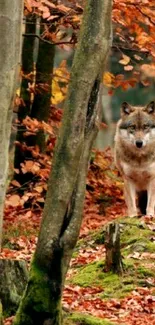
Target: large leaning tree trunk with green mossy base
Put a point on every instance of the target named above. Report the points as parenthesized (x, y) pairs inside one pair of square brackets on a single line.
[(62, 215)]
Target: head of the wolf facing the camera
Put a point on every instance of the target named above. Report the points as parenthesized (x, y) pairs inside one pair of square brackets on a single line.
[(137, 125)]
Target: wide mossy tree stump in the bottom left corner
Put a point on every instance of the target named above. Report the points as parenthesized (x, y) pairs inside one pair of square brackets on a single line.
[(13, 279)]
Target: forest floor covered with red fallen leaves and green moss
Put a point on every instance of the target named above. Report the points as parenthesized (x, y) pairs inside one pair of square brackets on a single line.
[(93, 296)]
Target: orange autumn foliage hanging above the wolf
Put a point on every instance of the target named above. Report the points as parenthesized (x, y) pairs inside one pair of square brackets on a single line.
[(134, 30)]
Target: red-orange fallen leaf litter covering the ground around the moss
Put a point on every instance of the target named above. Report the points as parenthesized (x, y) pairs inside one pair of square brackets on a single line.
[(103, 203)]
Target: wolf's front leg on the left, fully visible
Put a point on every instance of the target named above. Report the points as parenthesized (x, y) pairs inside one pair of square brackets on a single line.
[(130, 197)]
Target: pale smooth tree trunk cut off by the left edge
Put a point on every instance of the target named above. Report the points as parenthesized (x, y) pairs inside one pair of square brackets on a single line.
[(10, 42)]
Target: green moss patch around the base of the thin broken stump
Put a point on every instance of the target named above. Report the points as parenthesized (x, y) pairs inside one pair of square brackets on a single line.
[(113, 285)]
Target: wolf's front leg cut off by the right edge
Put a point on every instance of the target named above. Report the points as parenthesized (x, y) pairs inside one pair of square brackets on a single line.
[(150, 209)]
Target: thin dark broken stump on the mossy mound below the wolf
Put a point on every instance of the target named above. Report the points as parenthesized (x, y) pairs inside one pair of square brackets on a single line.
[(112, 245)]
